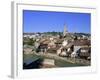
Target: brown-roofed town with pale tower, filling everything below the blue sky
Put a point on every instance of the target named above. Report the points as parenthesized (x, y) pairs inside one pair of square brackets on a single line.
[(56, 49)]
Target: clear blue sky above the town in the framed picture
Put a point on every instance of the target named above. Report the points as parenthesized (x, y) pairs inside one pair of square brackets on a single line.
[(47, 21)]
